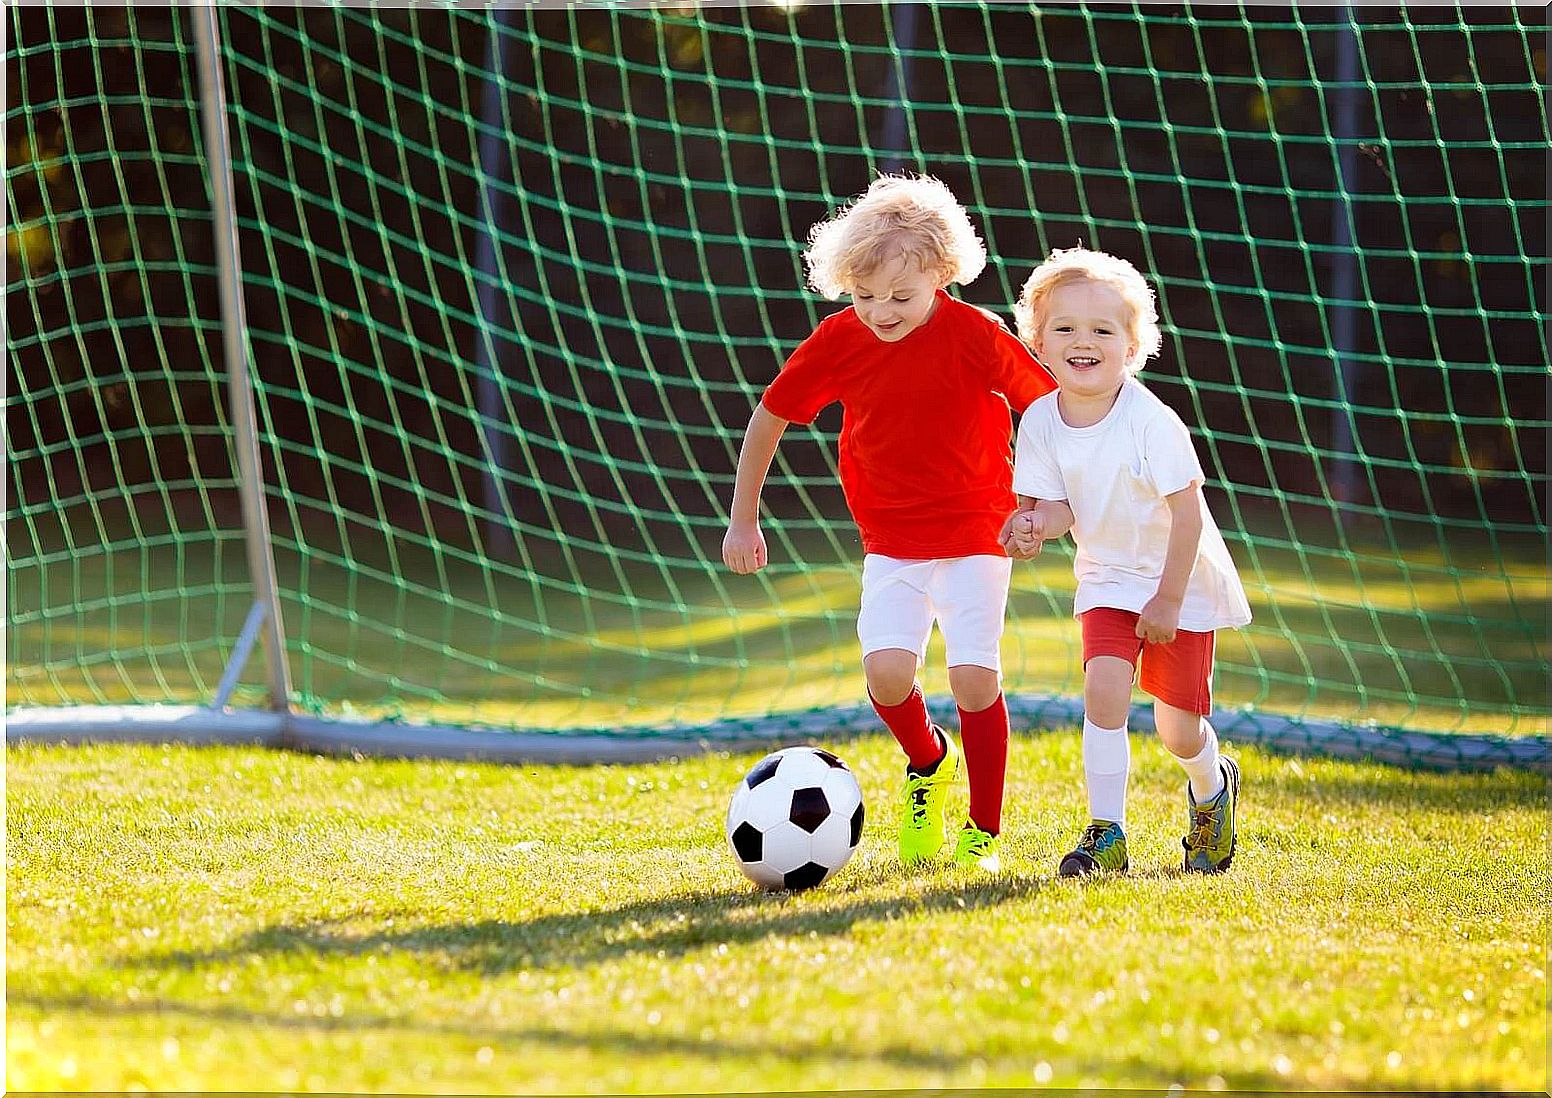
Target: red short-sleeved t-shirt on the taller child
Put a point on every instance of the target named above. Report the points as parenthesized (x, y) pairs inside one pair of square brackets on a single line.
[(926, 457)]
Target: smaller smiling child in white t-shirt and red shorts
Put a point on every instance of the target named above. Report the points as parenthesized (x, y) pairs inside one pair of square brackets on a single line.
[(1155, 579)]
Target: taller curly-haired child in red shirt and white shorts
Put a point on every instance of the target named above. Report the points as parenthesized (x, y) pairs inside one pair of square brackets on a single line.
[(926, 383)]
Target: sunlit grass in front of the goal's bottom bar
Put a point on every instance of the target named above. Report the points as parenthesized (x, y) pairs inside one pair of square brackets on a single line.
[(248, 920)]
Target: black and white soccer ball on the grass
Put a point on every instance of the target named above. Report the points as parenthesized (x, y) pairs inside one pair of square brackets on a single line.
[(795, 819)]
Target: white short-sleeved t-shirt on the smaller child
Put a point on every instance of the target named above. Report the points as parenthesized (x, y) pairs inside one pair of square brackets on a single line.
[(1115, 476)]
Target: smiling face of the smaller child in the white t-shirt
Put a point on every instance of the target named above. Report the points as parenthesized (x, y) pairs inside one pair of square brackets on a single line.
[(1086, 338)]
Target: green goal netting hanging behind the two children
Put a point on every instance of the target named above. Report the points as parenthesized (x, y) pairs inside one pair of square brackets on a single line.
[(514, 280)]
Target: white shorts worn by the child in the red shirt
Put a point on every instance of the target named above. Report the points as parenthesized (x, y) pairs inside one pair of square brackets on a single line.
[(968, 597)]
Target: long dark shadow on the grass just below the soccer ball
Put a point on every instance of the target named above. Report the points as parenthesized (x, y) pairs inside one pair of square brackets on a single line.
[(667, 926)]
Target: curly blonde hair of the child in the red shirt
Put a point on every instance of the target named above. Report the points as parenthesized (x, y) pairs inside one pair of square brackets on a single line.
[(916, 217)]
